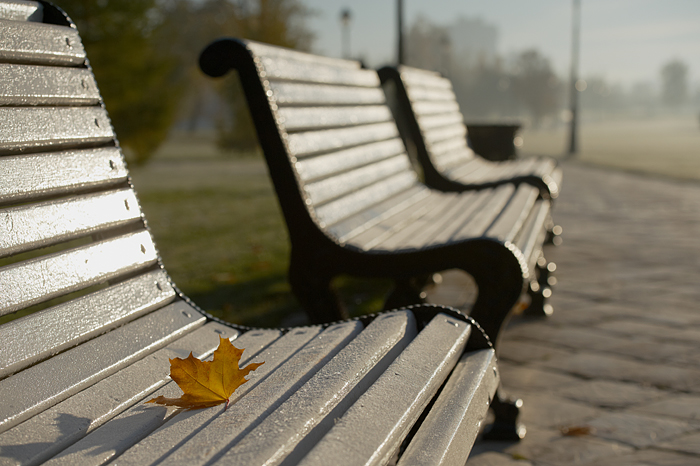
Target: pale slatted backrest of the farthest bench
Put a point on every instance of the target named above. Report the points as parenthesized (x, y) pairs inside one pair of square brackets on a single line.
[(428, 107)]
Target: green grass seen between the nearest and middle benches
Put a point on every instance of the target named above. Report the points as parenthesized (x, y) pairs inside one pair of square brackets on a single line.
[(223, 240)]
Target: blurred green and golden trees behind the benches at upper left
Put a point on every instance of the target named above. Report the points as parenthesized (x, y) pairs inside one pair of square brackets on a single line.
[(144, 56)]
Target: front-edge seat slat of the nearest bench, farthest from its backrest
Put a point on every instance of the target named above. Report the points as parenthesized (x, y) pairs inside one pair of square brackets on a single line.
[(456, 416)]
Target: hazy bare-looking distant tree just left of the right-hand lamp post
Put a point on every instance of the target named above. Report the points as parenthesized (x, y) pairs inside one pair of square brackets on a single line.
[(535, 85)]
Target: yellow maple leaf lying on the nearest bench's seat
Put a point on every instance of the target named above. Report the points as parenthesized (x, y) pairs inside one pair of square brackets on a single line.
[(207, 383)]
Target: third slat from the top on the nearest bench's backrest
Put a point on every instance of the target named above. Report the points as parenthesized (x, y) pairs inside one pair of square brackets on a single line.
[(22, 85)]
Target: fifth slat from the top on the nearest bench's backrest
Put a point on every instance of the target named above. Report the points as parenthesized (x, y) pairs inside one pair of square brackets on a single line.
[(71, 171)]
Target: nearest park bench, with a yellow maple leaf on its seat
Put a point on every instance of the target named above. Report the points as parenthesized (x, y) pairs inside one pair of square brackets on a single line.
[(89, 316)]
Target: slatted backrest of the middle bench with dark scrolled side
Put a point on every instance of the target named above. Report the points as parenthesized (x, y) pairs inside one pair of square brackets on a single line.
[(331, 143)]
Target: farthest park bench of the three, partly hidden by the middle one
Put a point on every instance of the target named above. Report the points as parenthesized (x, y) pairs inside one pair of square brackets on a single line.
[(429, 117)]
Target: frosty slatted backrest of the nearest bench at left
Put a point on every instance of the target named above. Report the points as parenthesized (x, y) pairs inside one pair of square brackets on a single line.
[(76, 258)]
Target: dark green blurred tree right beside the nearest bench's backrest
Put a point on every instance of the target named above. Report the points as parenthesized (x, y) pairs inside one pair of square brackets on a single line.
[(139, 81)]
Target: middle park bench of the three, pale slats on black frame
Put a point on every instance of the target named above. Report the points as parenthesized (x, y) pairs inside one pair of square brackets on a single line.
[(352, 202)]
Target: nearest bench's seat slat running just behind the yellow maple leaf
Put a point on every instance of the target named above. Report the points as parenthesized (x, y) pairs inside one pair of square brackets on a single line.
[(49, 432)]
